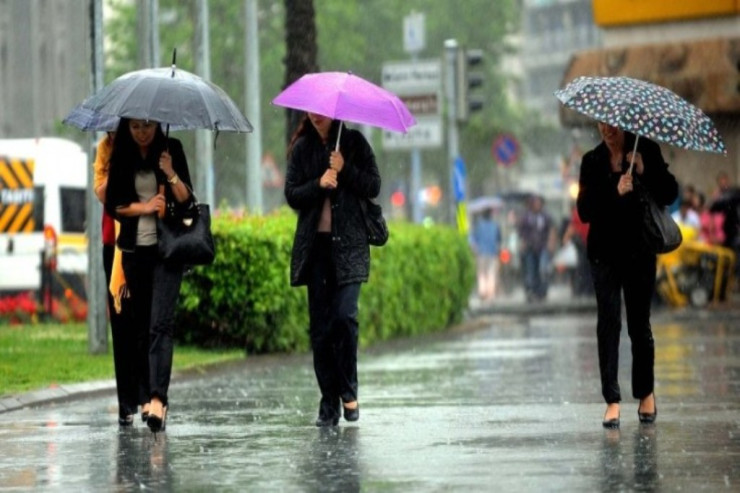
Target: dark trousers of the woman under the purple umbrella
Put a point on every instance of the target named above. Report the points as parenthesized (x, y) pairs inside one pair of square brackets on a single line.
[(333, 329)]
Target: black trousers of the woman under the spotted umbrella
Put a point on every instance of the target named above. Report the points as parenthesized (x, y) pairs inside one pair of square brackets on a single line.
[(636, 277)]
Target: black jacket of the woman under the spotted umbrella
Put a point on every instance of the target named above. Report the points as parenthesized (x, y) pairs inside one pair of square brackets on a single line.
[(615, 222)]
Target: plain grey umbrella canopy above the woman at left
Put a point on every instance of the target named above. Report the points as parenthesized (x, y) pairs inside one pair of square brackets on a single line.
[(167, 95)]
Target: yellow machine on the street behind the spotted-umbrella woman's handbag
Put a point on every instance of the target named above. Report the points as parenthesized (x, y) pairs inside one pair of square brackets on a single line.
[(696, 273)]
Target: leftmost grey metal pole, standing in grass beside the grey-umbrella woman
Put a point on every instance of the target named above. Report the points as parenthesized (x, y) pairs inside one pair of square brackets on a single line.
[(97, 323)]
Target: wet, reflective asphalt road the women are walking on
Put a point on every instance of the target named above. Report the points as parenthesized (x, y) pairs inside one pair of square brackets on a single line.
[(511, 406)]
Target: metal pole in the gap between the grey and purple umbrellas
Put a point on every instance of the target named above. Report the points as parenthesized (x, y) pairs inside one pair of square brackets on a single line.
[(252, 80)]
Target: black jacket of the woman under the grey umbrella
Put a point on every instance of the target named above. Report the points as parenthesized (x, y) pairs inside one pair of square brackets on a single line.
[(121, 190)]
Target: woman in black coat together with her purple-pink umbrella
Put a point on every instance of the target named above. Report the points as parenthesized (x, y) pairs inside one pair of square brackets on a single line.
[(331, 177)]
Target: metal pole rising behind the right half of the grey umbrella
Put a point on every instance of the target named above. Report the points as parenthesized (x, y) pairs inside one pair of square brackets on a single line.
[(203, 138)]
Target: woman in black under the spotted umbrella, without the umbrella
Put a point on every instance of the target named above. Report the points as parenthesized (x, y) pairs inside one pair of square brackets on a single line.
[(620, 259)]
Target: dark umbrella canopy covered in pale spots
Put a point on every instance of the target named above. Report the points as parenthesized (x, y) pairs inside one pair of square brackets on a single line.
[(643, 109)]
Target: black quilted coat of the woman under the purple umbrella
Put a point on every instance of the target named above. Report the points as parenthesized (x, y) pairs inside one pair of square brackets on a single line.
[(358, 180)]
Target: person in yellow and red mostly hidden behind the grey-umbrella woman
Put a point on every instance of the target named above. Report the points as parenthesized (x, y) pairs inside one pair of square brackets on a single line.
[(125, 363)]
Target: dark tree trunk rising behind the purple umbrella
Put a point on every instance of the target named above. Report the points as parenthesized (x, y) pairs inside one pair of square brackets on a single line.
[(302, 51)]
